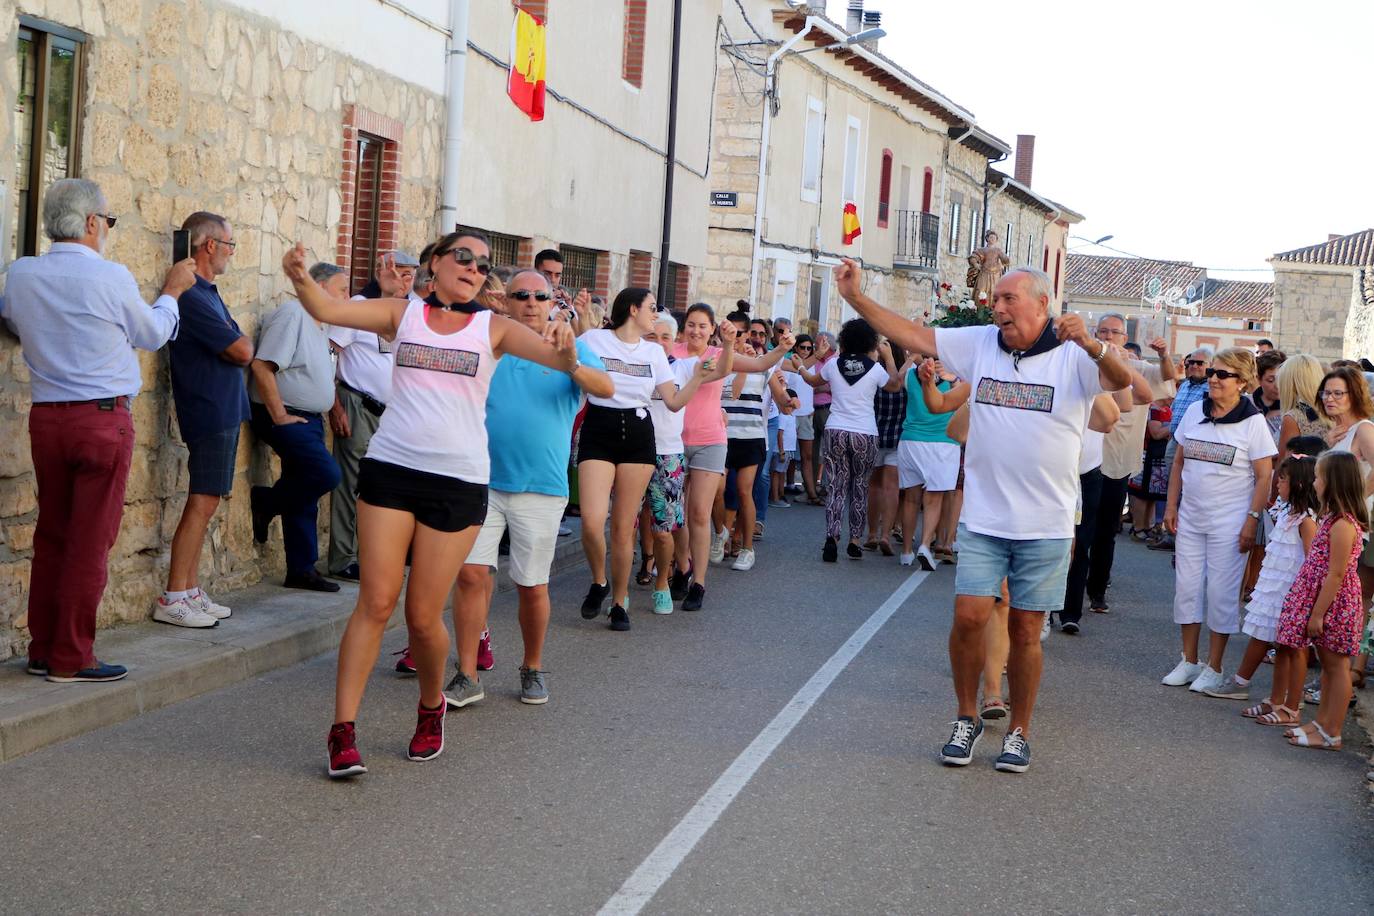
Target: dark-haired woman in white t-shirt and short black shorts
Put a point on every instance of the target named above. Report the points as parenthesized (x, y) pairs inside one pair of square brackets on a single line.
[(616, 448)]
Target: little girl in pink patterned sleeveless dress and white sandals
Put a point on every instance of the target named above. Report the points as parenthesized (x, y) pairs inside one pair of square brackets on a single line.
[(1324, 606)]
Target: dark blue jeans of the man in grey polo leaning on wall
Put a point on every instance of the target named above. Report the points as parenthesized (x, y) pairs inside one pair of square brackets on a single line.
[(308, 473)]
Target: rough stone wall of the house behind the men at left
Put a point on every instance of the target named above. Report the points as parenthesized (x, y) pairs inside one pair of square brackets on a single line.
[(194, 106)]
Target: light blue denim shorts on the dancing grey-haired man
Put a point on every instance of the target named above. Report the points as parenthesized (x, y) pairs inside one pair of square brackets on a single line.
[(1037, 571)]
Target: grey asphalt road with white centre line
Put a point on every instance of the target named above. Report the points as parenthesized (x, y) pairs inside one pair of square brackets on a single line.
[(1141, 799)]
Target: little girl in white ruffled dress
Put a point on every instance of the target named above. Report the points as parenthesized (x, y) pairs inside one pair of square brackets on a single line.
[(1295, 527)]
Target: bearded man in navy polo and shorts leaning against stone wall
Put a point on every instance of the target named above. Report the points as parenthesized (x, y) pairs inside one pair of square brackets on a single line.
[(208, 359)]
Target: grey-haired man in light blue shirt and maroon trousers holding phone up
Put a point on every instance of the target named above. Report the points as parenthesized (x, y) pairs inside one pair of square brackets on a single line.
[(79, 319)]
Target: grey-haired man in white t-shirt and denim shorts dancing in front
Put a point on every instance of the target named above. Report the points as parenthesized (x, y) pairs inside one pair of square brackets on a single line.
[(1031, 389)]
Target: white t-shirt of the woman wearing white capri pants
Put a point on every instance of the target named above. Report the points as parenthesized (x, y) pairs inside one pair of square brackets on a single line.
[(1218, 462)]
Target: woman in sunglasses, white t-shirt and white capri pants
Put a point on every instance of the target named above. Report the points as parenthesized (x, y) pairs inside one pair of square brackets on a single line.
[(1219, 487)]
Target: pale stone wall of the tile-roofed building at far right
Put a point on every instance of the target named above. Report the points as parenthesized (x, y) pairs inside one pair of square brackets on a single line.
[(1311, 308)]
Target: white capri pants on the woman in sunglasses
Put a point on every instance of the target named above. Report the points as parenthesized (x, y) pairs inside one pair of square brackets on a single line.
[(1208, 572)]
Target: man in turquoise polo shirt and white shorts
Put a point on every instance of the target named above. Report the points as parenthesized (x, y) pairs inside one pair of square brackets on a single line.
[(530, 429)]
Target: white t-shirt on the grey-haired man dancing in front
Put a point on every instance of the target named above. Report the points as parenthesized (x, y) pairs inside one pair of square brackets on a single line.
[(1027, 417)]
